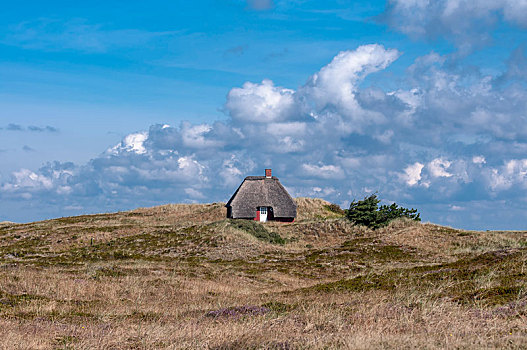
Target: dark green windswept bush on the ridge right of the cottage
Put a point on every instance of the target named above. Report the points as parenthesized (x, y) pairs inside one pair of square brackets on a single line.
[(368, 213)]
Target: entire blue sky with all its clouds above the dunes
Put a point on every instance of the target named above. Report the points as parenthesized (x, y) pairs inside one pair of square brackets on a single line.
[(108, 106)]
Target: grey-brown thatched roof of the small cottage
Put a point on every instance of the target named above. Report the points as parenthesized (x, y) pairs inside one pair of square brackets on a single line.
[(261, 191)]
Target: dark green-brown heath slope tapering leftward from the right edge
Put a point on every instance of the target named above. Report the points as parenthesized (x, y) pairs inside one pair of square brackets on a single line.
[(464, 281)]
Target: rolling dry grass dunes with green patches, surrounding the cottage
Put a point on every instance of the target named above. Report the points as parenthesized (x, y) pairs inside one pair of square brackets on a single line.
[(183, 277)]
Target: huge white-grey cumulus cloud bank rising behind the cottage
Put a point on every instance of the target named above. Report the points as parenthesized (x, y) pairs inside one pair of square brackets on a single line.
[(445, 138)]
